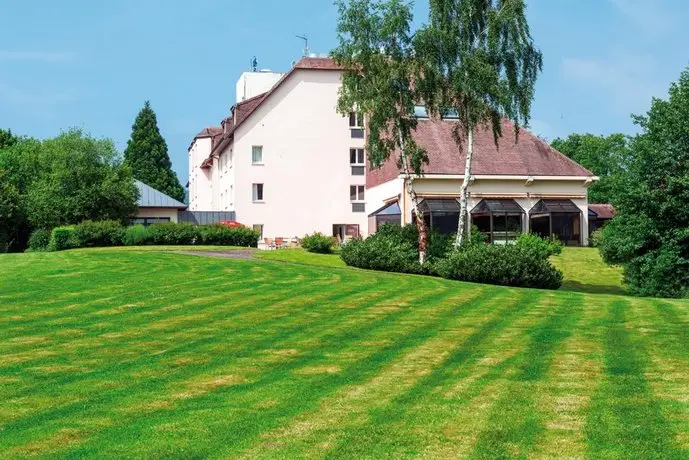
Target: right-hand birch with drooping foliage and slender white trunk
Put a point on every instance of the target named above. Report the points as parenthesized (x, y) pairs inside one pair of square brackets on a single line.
[(480, 61)]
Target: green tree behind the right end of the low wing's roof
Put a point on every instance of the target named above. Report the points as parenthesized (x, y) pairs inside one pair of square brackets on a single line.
[(606, 156)]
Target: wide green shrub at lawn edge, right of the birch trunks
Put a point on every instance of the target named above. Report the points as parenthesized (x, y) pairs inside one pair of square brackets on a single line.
[(505, 265)]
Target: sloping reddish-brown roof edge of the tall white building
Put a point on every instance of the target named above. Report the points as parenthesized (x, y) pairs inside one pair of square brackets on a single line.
[(243, 110)]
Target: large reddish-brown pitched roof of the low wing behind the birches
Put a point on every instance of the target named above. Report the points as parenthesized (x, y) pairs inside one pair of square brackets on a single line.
[(529, 156)]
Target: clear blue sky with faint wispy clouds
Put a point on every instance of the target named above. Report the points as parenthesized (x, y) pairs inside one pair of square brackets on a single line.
[(93, 64)]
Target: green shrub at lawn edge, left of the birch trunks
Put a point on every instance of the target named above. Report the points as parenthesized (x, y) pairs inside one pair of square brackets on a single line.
[(381, 253)]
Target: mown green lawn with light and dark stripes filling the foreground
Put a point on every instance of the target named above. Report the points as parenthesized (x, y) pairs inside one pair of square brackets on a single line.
[(146, 354)]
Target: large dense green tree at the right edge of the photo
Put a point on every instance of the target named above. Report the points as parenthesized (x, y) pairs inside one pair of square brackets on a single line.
[(650, 233)]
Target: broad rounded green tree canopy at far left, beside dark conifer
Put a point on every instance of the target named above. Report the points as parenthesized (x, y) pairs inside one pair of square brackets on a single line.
[(61, 181)]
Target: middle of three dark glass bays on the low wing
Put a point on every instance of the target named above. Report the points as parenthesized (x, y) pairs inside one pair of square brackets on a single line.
[(500, 220)]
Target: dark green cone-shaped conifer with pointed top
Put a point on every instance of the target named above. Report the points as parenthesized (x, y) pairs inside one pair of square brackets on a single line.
[(146, 154)]
